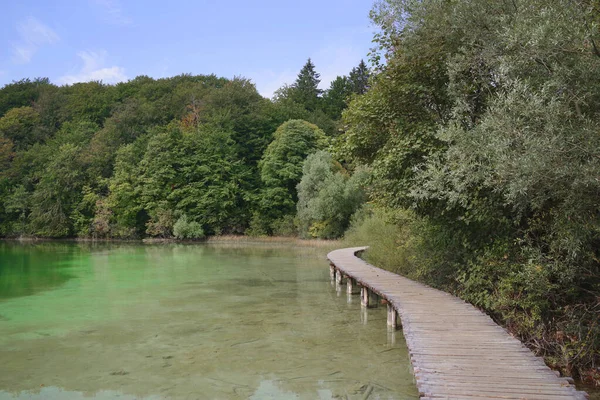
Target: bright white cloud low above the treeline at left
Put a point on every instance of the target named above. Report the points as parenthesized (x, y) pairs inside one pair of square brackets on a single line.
[(94, 69)]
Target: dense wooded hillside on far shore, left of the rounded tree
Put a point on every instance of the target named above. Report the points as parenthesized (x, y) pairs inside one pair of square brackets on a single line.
[(219, 126)]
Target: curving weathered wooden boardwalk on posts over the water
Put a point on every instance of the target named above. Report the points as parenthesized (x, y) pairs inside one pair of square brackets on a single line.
[(456, 351)]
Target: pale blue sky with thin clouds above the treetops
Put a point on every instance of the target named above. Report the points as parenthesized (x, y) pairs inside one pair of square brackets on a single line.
[(266, 41)]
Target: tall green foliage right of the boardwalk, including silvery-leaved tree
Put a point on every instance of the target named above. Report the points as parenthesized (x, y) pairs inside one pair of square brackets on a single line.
[(490, 135)]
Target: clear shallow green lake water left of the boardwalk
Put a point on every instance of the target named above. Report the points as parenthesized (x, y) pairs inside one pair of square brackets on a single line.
[(188, 322)]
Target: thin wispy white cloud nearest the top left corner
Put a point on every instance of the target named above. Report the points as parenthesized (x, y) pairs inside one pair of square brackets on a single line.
[(32, 35)]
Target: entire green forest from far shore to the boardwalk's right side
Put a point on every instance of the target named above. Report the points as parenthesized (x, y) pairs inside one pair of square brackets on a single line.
[(467, 155)]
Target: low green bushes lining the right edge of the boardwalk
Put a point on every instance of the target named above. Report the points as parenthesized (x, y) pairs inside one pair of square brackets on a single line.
[(519, 287)]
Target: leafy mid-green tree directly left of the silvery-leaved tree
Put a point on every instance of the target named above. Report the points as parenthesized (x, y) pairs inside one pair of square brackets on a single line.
[(392, 126)]
